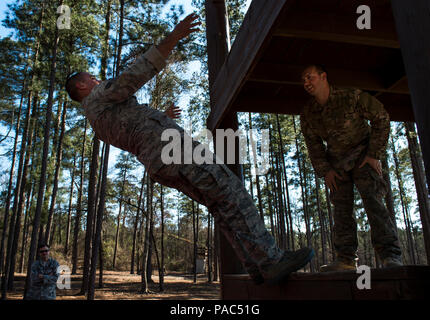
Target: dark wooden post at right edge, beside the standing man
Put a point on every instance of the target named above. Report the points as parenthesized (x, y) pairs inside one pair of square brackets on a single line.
[(413, 28)]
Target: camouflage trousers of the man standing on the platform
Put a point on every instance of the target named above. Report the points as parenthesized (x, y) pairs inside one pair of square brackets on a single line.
[(372, 189)]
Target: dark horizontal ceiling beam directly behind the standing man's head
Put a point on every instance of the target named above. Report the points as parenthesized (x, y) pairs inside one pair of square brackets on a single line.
[(282, 74)]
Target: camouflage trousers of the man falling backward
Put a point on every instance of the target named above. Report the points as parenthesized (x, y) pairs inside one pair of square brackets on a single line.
[(222, 192)]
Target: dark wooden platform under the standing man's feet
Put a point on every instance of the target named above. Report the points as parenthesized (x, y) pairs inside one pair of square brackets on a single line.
[(400, 283)]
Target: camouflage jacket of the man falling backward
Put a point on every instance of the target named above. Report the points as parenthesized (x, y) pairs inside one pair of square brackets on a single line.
[(118, 119)]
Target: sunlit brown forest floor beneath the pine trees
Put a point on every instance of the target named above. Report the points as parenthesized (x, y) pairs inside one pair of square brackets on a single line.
[(121, 285)]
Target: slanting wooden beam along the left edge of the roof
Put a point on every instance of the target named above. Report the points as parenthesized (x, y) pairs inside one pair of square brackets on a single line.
[(258, 25)]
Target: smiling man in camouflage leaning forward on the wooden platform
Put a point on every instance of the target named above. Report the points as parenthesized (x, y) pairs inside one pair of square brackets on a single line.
[(351, 156)]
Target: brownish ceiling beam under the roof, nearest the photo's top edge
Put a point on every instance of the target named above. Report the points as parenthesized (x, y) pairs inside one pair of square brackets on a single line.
[(330, 26)]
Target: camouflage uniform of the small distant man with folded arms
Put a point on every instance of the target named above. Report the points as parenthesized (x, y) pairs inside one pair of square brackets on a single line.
[(44, 289)]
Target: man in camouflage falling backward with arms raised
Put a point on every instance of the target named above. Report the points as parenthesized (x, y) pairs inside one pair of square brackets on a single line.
[(118, 119)]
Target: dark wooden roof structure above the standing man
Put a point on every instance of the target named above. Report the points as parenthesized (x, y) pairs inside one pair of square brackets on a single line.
[(279, 38)]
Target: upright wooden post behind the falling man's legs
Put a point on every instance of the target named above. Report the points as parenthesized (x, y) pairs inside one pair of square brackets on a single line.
[(218, 43)]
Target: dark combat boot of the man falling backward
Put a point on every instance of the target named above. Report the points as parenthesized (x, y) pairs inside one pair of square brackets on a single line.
[(291, 261)]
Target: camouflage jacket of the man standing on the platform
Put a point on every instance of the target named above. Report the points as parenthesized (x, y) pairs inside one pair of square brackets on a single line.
[(342, 124)]
